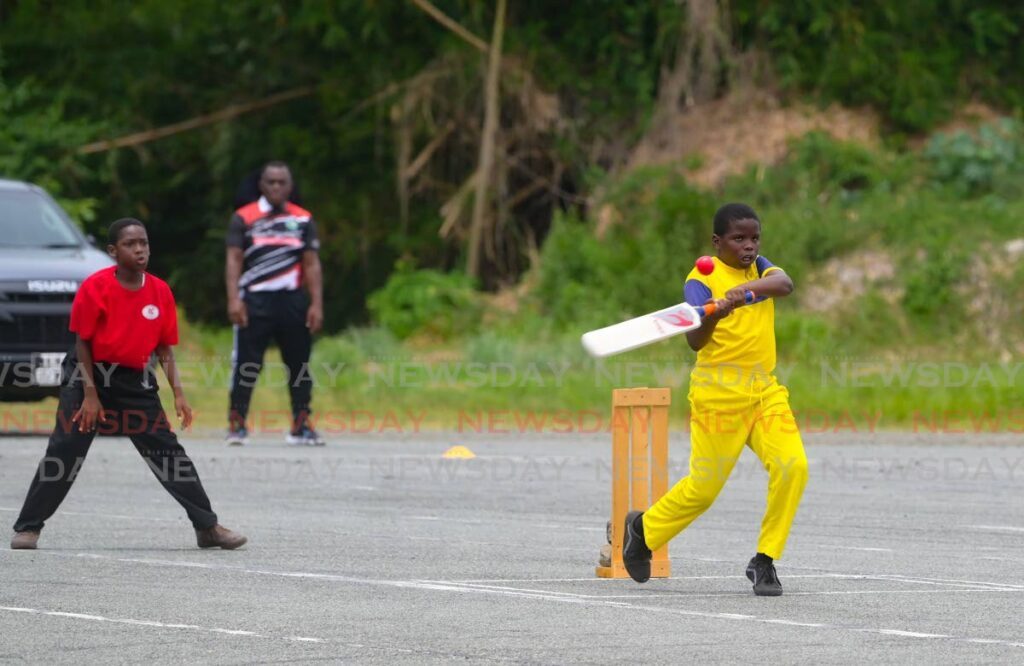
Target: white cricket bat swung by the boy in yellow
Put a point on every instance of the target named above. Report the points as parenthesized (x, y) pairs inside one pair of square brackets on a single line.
[(649, 329)]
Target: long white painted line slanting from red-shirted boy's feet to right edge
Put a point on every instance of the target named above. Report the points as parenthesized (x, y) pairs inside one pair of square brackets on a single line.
[(562, 598)]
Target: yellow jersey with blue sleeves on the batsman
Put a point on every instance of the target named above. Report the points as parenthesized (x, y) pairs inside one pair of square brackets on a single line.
[(745, 340)]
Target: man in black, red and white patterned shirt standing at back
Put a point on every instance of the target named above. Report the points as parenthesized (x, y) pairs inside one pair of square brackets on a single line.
[(272, 256)]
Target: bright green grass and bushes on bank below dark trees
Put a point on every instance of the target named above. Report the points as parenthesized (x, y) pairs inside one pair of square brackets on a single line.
[(902, 351)]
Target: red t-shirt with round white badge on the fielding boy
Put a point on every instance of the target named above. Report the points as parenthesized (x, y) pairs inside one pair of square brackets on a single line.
[(124, 326)]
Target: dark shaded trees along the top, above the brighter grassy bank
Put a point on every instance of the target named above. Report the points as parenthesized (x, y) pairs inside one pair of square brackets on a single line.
[(377, 84)]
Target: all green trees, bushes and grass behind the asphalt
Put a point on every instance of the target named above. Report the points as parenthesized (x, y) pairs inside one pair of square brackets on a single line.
[(900, 253)]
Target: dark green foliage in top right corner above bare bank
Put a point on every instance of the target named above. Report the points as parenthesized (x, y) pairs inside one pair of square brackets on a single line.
[(915, 61)]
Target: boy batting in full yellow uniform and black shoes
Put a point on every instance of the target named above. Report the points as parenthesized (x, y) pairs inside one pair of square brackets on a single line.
[(736, 401)]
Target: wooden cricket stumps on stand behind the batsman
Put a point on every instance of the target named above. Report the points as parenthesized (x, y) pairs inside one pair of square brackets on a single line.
[(639, 468)]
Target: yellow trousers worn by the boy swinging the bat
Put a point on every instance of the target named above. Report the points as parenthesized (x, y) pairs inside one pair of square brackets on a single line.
[(724, 418)]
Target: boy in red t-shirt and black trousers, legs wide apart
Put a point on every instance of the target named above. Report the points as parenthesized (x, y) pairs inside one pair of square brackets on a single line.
[(121, 316)]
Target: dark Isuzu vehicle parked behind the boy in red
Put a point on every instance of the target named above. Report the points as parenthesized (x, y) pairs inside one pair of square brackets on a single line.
[(44, 260)]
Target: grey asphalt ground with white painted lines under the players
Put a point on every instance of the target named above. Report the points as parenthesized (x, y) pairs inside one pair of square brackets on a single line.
[(908, 549)]
